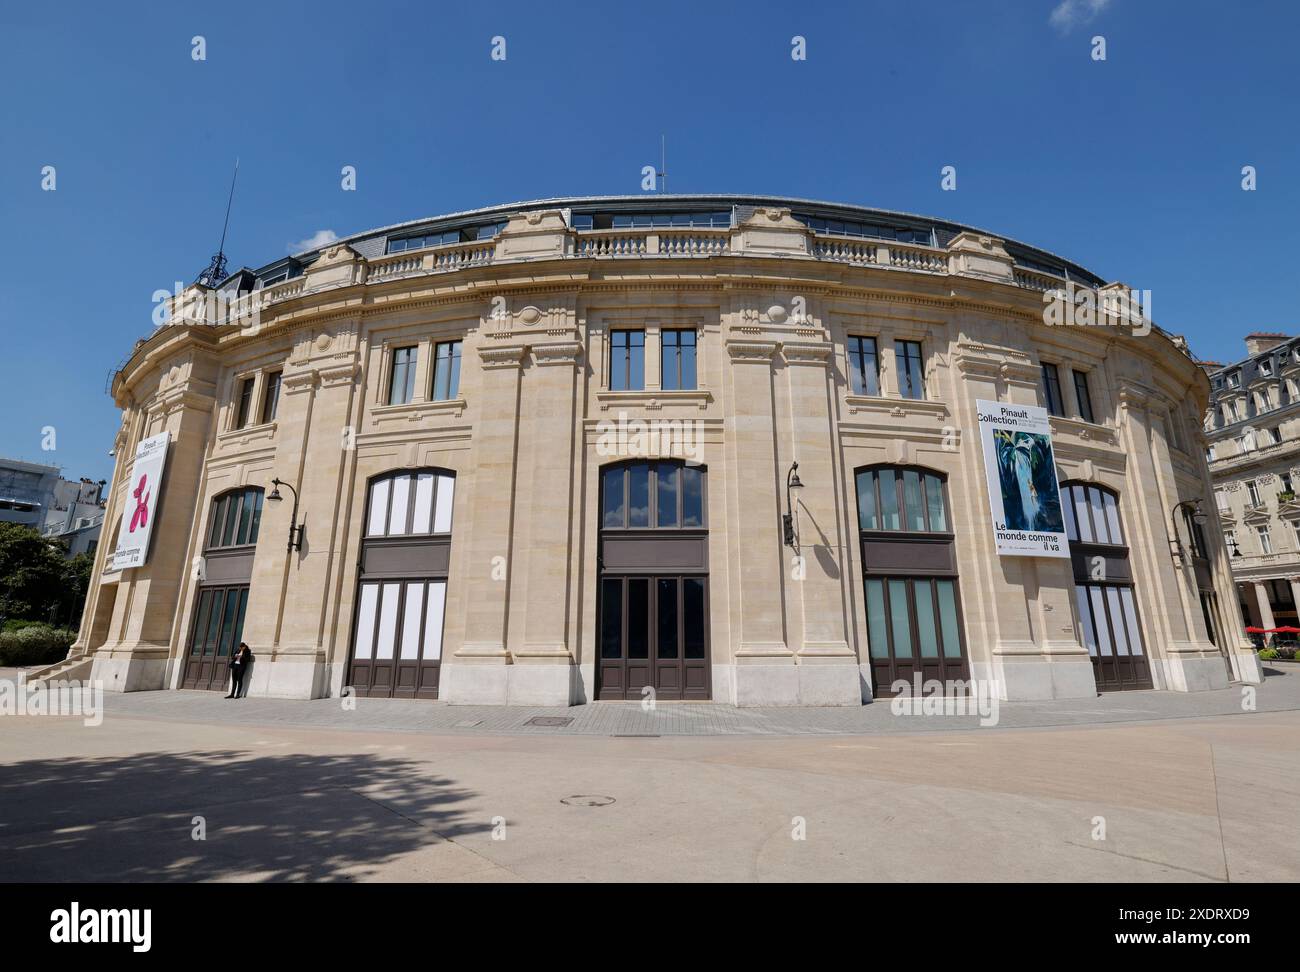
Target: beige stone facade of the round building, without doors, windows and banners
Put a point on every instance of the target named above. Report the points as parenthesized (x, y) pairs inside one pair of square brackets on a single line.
[(773, 302)]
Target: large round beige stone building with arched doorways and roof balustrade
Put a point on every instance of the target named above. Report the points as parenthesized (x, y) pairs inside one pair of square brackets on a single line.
[(720, 448)]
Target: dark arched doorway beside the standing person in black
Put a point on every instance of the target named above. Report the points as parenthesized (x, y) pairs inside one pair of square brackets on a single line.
[(231, 544)]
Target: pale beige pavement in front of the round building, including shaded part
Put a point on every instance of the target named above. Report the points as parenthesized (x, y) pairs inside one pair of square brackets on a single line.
[(1193, 799)]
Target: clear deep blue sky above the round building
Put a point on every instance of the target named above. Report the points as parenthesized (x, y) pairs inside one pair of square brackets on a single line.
[(1130, 167)]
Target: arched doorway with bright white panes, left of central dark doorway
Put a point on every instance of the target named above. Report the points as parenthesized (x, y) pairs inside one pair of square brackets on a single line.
[(402, 591)]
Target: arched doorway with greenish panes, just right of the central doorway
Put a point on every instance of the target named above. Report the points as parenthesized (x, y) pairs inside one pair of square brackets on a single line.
[(911, 584)]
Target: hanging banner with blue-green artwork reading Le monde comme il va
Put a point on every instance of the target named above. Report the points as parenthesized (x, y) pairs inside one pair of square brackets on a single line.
[(1025, 500)]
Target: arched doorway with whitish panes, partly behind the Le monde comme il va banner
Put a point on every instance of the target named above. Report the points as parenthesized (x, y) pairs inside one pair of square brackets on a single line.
[(1103, 587)]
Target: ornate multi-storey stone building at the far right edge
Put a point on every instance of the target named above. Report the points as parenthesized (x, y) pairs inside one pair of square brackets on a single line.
[(1254, 453)]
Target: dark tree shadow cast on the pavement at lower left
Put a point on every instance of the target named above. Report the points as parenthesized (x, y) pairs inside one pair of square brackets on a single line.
[(267, 818)]
